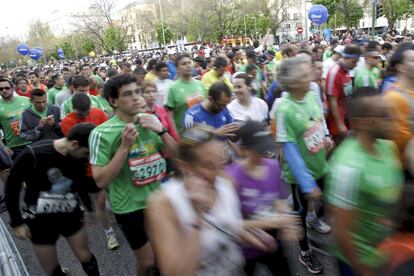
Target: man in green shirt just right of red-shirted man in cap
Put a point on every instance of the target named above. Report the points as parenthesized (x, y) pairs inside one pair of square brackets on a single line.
[(370, 74)]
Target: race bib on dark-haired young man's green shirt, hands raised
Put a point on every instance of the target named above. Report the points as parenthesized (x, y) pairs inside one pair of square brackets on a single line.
[(148, 169)]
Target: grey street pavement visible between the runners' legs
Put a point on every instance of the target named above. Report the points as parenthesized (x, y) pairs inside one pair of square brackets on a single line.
[(122, 262)]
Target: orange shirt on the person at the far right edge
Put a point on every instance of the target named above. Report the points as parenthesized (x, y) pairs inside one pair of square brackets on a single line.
[(401, 110)]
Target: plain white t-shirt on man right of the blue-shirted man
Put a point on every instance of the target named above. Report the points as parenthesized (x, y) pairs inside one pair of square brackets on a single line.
[(257, 110)]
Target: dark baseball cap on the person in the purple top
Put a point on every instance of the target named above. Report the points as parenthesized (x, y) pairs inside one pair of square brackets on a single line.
[(253, 136)]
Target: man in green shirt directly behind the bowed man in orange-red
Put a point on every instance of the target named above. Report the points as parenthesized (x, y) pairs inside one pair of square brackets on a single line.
[(80, 85)]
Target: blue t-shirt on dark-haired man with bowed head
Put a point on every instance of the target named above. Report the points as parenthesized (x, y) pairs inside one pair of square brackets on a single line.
[(199, 115)]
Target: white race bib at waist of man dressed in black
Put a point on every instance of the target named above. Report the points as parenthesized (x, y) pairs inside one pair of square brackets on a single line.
[(49, 203)]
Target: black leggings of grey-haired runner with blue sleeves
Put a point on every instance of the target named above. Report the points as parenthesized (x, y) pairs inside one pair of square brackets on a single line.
[(300, 206)]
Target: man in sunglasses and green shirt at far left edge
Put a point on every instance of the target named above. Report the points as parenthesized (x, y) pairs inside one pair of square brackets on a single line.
[(11, 109)]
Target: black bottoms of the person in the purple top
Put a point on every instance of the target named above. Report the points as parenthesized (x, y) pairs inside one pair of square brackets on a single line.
[(274, 261)]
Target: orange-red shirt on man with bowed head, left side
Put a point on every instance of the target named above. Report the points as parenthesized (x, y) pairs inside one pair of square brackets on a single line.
[(95, 116)]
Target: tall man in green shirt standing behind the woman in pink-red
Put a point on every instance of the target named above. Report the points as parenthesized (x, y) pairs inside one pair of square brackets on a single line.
[(184, 93)]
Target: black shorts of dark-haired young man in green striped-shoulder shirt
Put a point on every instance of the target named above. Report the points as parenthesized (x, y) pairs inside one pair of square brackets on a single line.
[(132, 225)]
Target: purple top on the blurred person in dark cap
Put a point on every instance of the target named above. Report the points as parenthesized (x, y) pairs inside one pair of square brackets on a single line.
[(257, 196)]
